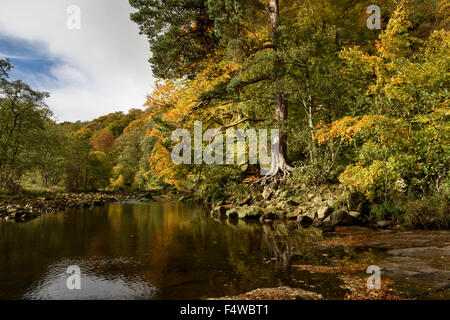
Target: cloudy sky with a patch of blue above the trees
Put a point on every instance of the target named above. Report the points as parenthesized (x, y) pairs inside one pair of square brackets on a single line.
[(100, 68)]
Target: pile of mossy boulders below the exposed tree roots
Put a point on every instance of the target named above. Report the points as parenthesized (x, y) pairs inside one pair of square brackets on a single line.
[(326, 208)]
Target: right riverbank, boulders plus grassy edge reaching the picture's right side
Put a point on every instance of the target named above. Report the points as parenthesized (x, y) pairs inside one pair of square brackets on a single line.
[(331, 206)]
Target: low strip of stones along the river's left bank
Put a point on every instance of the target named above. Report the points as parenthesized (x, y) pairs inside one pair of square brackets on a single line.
[(25, 208)]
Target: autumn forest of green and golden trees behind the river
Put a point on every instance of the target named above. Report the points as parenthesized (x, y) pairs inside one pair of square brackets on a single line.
[(360, 111)]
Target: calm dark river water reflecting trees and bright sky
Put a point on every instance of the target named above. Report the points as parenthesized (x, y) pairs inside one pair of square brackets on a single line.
[(149, 251)]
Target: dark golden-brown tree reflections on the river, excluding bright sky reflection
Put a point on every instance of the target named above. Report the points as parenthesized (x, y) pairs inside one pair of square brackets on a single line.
[(171, 246)]
